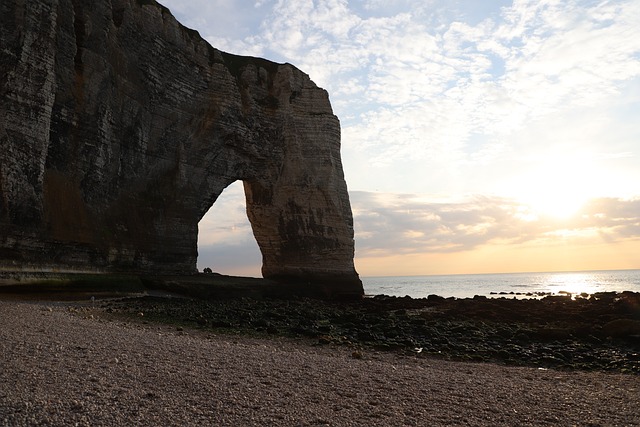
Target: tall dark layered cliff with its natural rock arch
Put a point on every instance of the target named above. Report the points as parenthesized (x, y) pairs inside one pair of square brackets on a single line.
[(120, 128)]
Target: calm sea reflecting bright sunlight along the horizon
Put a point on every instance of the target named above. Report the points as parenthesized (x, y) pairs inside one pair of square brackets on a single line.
[(505, 285)]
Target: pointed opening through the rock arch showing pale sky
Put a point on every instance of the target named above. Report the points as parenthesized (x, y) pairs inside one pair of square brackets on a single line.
[(226, 243)]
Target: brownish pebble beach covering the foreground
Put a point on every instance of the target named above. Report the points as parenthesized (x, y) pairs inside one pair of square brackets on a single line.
[(61, 367)]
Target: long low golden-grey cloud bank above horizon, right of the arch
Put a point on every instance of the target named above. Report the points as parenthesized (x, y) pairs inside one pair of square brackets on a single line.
[(391, 224)]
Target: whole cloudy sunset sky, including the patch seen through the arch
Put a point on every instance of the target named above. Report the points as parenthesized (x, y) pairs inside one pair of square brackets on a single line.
[(477, 137)]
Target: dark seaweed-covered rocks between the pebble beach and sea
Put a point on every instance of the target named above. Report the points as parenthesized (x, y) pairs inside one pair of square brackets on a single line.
[(600, 332)]
